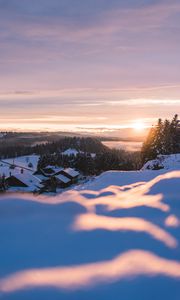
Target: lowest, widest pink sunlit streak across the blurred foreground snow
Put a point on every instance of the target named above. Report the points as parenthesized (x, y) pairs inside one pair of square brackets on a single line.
[(129, 264)]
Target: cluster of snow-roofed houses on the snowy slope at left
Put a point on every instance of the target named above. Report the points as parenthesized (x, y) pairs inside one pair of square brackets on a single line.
[(21, 174)]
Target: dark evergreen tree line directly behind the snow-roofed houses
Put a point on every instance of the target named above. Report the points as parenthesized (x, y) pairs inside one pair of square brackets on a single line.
[(88, 164)]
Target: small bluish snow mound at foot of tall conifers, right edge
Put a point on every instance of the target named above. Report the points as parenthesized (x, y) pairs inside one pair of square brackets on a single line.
[(167, 162)]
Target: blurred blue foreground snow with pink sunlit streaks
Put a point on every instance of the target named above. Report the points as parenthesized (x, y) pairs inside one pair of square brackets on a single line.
[(118, 238)]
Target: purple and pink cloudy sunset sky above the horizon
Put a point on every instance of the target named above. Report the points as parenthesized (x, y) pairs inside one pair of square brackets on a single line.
[(90, 65)]
